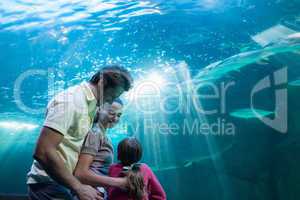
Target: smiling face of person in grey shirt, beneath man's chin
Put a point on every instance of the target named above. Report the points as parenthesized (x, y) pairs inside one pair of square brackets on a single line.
[(110, 114)]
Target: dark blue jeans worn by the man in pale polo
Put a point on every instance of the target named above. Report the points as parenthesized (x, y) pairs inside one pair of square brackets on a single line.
[(48, 191)]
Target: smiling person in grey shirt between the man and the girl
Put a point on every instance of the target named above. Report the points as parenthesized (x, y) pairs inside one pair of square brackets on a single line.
[(97, 151)]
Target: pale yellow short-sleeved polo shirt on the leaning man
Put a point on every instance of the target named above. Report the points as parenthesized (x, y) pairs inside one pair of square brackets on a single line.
[(71, 113)]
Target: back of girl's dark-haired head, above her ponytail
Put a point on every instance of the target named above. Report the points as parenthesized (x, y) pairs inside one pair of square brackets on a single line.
[(129, 151)]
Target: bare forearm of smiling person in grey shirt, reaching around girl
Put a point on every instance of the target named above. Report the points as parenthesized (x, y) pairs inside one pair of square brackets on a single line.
[(86, 176)]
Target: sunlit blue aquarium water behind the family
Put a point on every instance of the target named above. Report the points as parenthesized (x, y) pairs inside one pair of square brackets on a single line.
[(182, 54)]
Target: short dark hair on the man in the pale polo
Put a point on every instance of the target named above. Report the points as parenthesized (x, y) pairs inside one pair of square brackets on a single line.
[(112, 76)]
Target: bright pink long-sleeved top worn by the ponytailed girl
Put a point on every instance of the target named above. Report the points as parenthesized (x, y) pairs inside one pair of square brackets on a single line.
[(153, 187)]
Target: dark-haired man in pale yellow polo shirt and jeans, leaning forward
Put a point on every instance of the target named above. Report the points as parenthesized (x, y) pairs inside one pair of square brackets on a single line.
[(68, 119)]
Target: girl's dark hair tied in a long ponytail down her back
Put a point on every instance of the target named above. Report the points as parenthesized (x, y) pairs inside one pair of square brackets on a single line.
[(129, 153)]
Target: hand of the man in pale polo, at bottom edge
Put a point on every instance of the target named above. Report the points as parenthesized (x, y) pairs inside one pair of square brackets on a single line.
[(86, 192)]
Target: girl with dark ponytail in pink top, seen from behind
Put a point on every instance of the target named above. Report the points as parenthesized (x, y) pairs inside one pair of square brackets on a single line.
[(142, 183)]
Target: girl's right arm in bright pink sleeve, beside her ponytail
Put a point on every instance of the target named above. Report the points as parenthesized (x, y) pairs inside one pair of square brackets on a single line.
[(156, 190)]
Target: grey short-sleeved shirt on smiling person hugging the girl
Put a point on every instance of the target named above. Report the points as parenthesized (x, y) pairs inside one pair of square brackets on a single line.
[(100, 146)]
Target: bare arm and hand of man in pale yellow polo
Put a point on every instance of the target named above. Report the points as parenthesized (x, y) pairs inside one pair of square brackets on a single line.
[(46, 155)]
